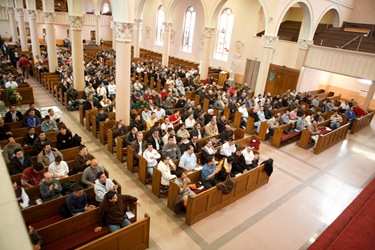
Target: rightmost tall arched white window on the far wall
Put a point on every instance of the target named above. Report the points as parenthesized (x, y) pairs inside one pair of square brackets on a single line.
[(224, 35)]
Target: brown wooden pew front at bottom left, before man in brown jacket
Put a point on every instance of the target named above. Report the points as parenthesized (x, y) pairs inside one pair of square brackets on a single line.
[(135, 236)]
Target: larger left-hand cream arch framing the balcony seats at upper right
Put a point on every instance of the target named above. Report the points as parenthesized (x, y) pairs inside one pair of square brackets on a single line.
[(307, 21)]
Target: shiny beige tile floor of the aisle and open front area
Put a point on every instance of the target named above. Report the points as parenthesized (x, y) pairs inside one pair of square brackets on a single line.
[(306, 192)]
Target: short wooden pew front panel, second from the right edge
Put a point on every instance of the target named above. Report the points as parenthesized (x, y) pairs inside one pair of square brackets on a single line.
[(327, 140)]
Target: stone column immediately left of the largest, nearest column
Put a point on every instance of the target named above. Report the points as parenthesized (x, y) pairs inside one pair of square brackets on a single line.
[(76, 24)]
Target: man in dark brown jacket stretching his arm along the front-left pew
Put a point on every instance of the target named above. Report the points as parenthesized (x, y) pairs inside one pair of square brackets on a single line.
[(112, 211)]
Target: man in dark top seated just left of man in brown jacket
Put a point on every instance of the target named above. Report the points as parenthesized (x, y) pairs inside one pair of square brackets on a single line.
[(77, 202)]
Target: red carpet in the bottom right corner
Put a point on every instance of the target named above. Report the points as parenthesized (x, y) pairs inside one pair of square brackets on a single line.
[(354, 228)]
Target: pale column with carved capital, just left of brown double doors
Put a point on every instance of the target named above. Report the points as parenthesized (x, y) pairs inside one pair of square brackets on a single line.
[(268, 49)]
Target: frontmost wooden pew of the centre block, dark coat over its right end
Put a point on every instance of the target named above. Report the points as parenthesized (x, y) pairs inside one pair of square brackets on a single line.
[(211, 200)]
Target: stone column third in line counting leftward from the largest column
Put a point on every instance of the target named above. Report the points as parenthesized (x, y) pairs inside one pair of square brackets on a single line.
[(49, 20)]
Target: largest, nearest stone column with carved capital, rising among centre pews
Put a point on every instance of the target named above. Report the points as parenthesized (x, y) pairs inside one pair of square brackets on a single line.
[(123, 33)]
